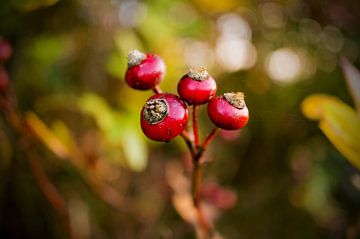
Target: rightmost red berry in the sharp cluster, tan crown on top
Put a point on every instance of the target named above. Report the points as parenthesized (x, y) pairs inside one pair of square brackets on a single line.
[(229, 111)]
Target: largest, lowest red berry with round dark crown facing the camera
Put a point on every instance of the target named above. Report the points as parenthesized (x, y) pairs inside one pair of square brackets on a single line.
[(163, 117)]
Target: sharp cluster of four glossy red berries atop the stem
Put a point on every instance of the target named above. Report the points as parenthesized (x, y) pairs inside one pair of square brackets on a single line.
[(165, 116)]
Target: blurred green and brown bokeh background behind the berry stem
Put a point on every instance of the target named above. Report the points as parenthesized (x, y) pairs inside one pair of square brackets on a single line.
[(67, 72)]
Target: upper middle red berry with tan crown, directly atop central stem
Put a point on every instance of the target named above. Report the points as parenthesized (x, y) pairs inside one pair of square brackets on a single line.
[(197, 87)]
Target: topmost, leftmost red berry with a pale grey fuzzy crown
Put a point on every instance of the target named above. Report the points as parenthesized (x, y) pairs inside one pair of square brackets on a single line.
[(145, 71)]
